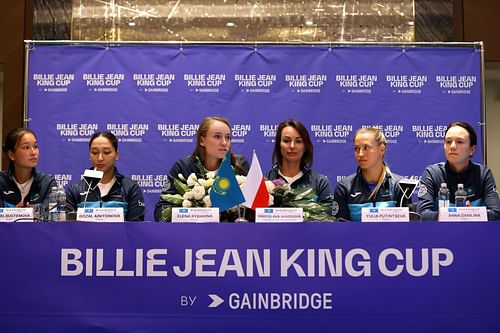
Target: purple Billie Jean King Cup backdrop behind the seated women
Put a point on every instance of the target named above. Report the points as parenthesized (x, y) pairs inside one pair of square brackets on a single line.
[(153, 97)]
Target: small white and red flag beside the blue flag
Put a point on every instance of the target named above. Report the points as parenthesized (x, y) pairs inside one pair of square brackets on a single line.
[(255, 191)]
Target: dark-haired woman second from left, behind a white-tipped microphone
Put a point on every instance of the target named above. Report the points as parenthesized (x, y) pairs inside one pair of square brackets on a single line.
[(114, 189)]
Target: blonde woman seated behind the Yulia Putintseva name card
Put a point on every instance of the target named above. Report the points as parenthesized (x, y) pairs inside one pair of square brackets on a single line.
[(373, 184)]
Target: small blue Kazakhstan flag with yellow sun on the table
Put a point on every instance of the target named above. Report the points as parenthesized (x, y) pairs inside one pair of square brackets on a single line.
[(226, 192)]
